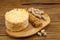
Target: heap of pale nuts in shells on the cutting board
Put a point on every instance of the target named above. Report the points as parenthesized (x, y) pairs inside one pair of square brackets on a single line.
[(38, 13)]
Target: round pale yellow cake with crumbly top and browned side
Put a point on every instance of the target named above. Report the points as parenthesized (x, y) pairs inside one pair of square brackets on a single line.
[(16, 19)]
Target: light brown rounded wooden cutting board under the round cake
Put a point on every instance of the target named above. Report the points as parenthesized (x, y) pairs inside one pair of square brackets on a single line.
[(30, 30)]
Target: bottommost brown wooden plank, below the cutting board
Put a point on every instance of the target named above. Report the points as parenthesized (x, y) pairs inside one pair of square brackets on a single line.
[(51, 36)]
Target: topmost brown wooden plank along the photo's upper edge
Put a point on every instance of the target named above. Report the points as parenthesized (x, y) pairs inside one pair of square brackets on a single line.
[(29, 1)]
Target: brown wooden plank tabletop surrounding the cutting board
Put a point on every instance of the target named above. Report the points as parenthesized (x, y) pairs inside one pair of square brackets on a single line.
[(52, 8)]
